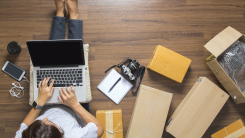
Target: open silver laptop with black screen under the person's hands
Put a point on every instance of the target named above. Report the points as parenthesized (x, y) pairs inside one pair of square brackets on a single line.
[(61, 60)]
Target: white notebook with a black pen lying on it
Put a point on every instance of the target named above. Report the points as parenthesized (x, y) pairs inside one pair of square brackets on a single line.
[(120, 88)]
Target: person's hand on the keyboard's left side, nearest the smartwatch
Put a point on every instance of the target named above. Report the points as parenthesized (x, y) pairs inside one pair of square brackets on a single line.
[(45, 92)]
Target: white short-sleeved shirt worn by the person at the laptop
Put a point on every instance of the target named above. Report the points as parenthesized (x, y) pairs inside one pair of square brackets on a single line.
[(67, 122)]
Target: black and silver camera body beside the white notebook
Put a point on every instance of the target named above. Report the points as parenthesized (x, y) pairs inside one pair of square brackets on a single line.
[(130, 69)]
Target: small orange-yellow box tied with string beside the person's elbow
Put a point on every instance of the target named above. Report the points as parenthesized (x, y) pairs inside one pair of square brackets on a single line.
[(111, 120)]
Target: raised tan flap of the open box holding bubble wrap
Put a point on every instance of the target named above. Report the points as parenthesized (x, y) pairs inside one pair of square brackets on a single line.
[(222, 41)]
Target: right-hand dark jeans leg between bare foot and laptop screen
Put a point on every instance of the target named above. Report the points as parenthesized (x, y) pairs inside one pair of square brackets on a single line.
[(75, 29)]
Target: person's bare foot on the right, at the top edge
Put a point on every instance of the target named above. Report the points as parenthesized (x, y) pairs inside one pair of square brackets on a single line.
[(72, 6)]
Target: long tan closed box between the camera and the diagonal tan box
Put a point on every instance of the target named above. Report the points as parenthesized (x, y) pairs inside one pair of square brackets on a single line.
[(149, 114)]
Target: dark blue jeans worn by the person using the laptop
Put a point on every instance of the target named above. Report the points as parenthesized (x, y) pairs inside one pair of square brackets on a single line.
[(58, 31)]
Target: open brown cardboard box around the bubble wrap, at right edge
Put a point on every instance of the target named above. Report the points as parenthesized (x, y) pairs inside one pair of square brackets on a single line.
[(217, 46)]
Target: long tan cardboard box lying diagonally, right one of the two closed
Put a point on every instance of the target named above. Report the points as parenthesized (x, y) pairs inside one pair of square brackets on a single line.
[(197, 110)]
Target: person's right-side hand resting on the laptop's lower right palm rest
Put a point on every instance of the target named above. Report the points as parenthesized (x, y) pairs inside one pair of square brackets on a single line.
[(68, 97)]
